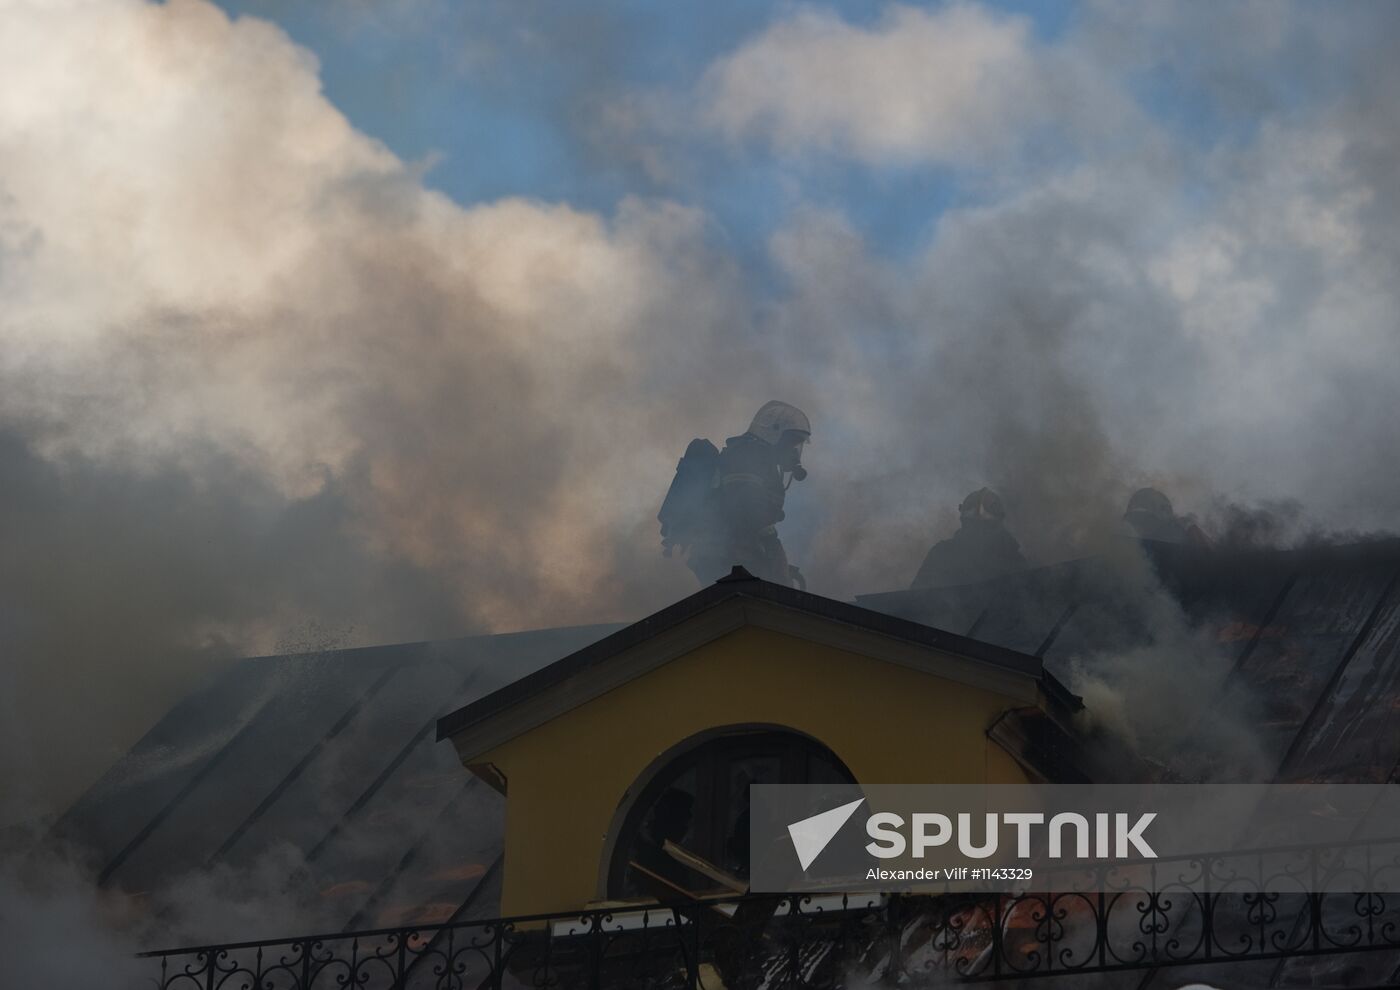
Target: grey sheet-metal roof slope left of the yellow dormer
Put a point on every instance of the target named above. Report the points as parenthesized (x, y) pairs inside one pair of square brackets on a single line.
[(327, 764)]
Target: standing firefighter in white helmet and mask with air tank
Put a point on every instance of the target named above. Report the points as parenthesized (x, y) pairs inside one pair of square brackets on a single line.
[(724, 506)]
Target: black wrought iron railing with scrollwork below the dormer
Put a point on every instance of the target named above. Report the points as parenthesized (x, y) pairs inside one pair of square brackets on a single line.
[(1193, 911)]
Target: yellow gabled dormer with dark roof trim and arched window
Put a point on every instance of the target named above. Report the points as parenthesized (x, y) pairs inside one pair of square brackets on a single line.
[(657, 732)]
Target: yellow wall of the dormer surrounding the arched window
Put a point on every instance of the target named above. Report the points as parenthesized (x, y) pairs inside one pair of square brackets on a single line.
[(890, 725)]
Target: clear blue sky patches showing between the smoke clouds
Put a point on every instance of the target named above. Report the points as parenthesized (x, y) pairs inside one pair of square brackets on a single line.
[(500, 99)]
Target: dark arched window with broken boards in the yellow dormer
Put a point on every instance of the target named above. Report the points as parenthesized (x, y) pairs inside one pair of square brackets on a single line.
[(701, 802)]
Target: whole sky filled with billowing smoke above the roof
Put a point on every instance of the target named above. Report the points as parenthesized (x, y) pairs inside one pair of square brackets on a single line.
[(300, 351)]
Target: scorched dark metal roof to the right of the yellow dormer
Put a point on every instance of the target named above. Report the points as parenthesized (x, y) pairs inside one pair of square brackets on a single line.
[(1312, 638)]
